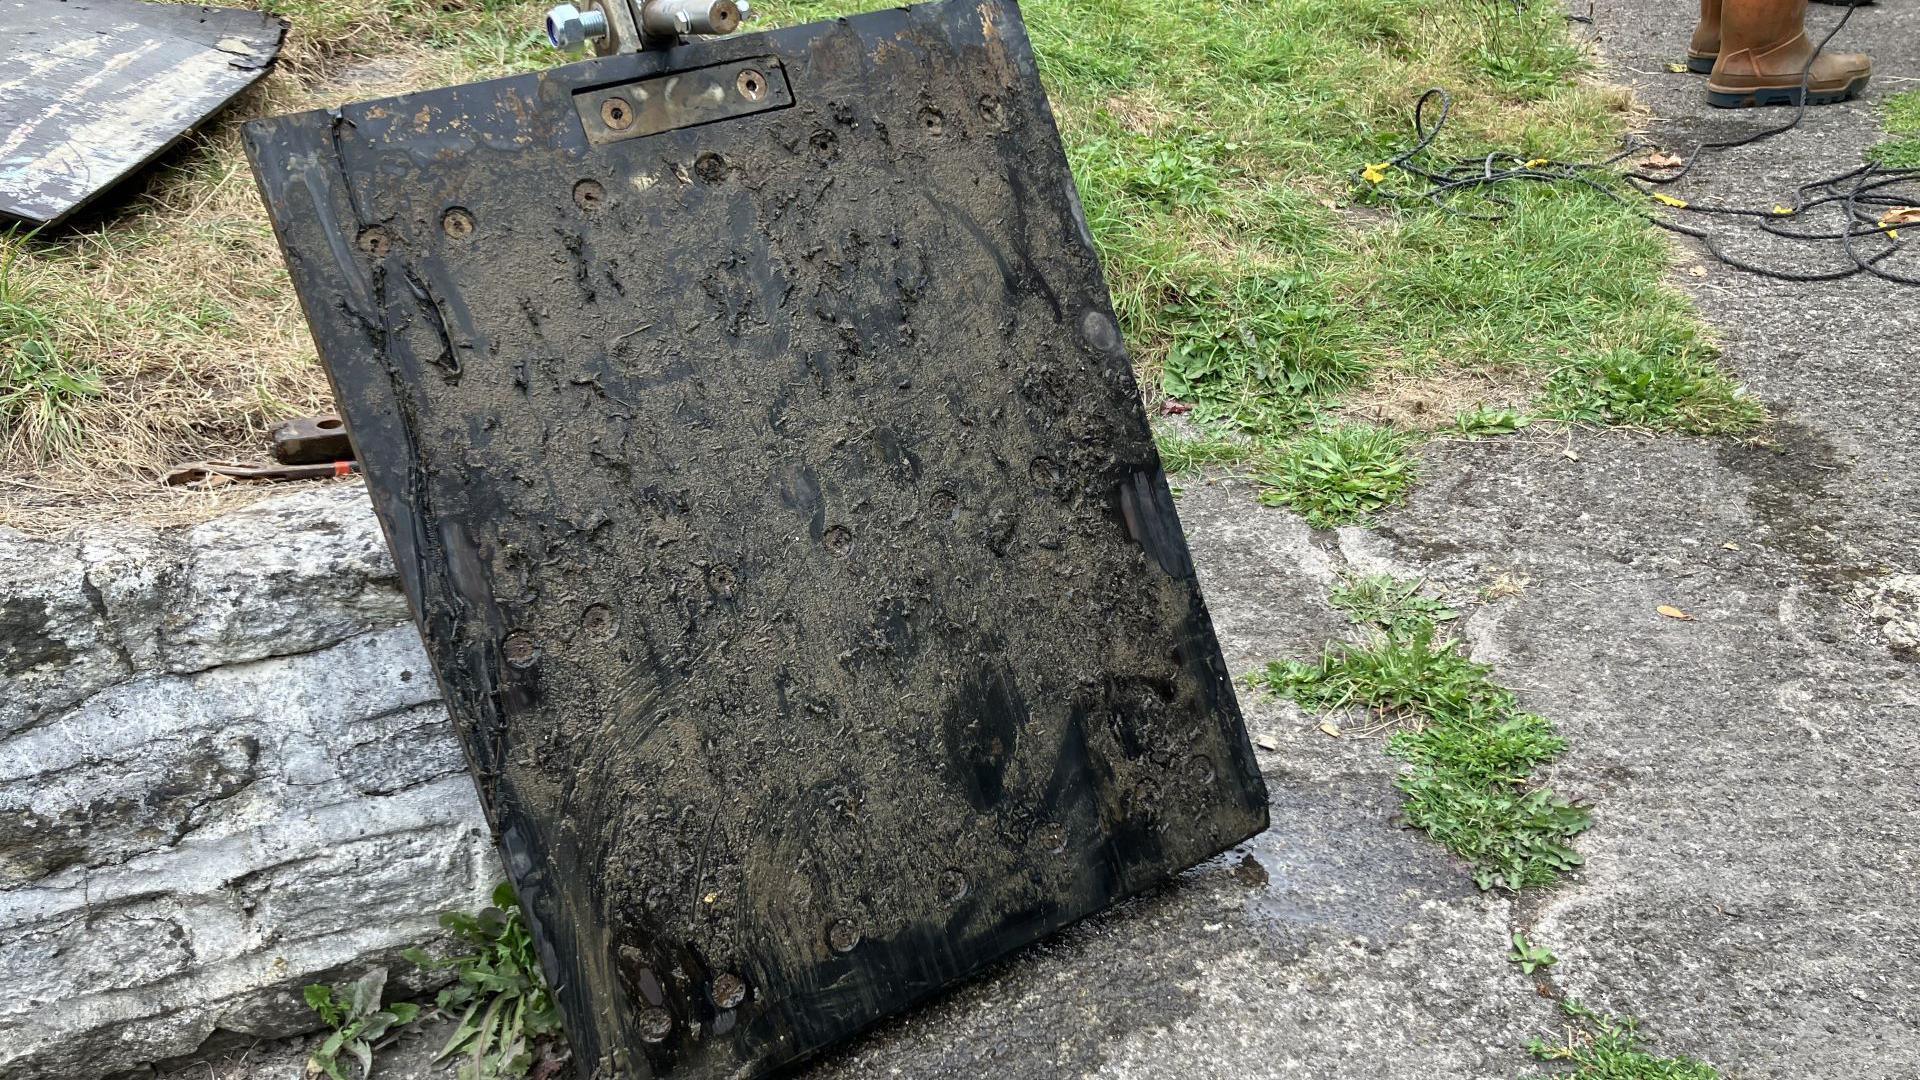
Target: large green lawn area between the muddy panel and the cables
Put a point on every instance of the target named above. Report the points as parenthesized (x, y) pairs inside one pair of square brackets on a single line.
[(1216, 147)]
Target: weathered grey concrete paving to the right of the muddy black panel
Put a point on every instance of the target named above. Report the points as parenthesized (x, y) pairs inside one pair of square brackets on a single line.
[(1752, 885)]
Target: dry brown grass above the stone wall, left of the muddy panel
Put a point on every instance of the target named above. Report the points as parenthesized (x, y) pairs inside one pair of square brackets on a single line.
[(174, 307)]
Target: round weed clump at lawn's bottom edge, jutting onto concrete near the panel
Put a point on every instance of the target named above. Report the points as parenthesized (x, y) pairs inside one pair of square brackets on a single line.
[(1339, 476)]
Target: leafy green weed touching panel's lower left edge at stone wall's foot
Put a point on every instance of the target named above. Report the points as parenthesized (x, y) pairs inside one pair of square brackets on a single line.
[(498, 991)]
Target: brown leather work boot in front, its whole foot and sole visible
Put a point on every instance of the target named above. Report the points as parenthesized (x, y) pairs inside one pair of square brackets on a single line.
[(1765, 51)]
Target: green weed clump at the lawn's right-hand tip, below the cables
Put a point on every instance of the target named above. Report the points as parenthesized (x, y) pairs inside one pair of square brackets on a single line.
[(1673, 391)]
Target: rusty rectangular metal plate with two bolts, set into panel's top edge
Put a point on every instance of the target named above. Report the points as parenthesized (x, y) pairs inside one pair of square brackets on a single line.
[(684, 99)]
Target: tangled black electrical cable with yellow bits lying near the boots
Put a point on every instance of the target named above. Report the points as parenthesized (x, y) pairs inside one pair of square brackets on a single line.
[(1860, 191)]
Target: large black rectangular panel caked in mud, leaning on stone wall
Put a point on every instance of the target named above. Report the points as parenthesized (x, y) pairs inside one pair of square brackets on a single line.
[(779, 508)]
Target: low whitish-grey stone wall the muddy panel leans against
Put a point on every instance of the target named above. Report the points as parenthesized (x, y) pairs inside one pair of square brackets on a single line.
[(224, 773)]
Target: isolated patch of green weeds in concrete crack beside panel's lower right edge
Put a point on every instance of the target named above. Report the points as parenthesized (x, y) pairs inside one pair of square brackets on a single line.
[(1468, 747)]
